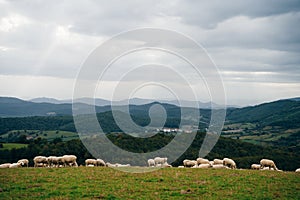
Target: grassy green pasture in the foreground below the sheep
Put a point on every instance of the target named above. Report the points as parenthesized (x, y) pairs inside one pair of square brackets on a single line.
[(169, 183)]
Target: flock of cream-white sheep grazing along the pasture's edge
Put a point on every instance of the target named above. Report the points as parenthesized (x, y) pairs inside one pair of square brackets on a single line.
[(70, 161)]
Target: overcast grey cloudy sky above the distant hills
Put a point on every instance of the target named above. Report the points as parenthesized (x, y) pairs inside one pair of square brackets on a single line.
[(254, 44)]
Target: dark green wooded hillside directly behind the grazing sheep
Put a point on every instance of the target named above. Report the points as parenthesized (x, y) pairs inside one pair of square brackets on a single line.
[(243, 153)]
